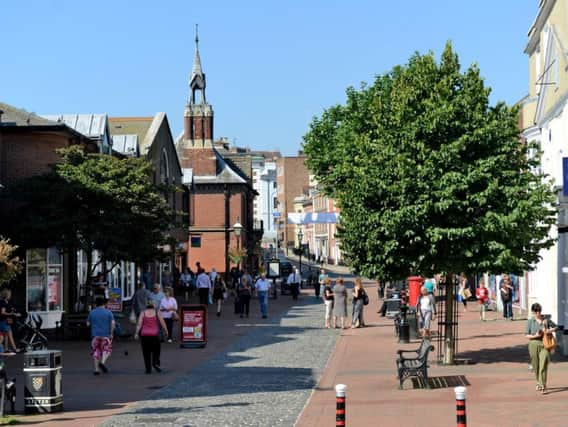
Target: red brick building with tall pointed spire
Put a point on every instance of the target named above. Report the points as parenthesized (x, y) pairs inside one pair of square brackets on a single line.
[(220, 194)]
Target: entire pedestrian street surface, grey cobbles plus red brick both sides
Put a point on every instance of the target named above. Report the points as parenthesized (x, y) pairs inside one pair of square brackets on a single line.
[(282, 372)]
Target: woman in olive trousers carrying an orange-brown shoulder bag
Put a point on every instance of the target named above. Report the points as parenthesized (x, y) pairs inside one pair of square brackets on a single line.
[(537, 326)]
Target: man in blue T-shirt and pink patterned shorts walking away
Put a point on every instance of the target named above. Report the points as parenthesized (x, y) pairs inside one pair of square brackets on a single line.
[(102, 324)]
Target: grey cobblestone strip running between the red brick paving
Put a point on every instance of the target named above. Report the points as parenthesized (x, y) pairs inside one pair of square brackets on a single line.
[(263, 379)]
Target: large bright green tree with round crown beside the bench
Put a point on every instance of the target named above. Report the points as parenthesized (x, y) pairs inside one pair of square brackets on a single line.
[(430, 178)]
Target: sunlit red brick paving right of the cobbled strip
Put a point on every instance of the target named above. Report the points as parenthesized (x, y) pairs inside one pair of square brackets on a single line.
[(501, 391)]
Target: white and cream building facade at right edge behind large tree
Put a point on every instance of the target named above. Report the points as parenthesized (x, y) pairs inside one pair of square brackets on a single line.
[(544, 119)]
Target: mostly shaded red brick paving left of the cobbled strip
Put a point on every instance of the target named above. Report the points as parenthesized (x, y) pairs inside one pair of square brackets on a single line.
[(90, 400)]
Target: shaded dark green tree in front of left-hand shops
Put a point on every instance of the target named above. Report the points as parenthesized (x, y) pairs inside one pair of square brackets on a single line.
[(94, 202)]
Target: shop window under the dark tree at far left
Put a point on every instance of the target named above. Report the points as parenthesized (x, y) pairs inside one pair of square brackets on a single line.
[(44, 279)]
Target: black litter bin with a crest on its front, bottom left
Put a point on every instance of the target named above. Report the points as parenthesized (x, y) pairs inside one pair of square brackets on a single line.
[(42, 379)]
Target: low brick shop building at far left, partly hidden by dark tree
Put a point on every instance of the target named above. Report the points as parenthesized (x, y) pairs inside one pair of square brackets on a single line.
[(27, 148)]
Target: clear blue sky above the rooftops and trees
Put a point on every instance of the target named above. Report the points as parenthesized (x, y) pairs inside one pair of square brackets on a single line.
[(270, 65)]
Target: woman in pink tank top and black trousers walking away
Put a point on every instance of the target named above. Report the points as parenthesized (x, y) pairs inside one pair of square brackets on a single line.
[(148, 330)]
